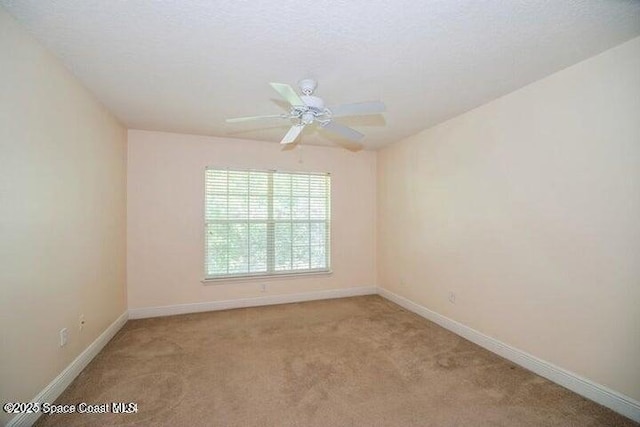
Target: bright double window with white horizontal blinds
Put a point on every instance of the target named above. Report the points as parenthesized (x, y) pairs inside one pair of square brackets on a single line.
[(261, 223)]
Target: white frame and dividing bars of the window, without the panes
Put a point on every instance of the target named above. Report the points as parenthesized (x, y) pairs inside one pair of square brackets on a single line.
[(271, 271)]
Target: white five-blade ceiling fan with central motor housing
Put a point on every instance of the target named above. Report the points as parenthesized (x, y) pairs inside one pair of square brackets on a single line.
[(307, 109)]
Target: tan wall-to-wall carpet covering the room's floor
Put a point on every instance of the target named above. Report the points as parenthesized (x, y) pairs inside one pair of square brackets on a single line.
[(359, 361)]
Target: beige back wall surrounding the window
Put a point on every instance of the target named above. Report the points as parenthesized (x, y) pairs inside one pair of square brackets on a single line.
[(165, 216)]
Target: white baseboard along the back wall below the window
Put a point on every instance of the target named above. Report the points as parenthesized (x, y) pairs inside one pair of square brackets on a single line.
[(170, 310)]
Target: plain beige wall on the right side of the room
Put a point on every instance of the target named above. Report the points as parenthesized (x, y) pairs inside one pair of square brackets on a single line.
[(528, 208)]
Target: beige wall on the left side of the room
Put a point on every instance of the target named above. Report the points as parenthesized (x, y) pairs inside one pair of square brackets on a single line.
[(62, 215)]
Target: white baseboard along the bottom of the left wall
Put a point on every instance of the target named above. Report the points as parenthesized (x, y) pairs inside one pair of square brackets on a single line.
[(51, 392)]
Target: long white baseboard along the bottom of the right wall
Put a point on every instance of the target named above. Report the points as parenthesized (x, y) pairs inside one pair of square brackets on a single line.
[(598, 393)]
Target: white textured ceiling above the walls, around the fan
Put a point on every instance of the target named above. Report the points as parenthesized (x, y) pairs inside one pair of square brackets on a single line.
[(184, 66)]
